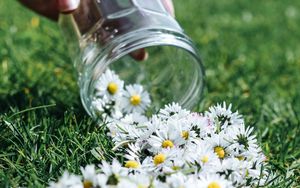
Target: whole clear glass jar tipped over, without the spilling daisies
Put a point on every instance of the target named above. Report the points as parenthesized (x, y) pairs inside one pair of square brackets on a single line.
[(101, 35)]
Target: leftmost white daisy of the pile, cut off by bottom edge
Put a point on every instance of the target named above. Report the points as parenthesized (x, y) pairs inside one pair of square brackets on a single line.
[(67, 180)]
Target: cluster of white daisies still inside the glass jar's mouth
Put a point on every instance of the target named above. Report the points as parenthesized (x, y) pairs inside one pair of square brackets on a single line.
[(115, 99)]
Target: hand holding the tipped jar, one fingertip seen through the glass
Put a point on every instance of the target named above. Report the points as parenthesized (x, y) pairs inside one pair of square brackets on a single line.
[(52, 8)]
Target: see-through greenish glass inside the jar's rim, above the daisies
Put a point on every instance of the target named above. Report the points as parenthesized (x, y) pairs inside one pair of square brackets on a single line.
[(170, 74)]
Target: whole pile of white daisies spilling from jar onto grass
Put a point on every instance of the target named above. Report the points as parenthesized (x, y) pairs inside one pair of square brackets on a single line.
[(173, 148)]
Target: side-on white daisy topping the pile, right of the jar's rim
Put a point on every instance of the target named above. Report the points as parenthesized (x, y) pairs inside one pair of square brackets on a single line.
[(223, 117)]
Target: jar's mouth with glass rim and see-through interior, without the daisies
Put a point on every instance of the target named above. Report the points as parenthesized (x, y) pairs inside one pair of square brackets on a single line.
[(173, 72)]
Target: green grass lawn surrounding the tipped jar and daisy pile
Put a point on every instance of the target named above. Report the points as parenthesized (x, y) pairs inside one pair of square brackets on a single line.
[(251, 53)]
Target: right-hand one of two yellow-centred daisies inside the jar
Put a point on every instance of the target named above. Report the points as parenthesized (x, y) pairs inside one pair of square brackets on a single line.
[(135, 99)]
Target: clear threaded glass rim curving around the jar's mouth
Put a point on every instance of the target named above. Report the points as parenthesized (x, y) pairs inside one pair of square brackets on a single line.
[(121, 46)]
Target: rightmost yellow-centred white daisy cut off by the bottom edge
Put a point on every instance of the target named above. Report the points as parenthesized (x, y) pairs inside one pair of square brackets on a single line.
[(214, 181)]
